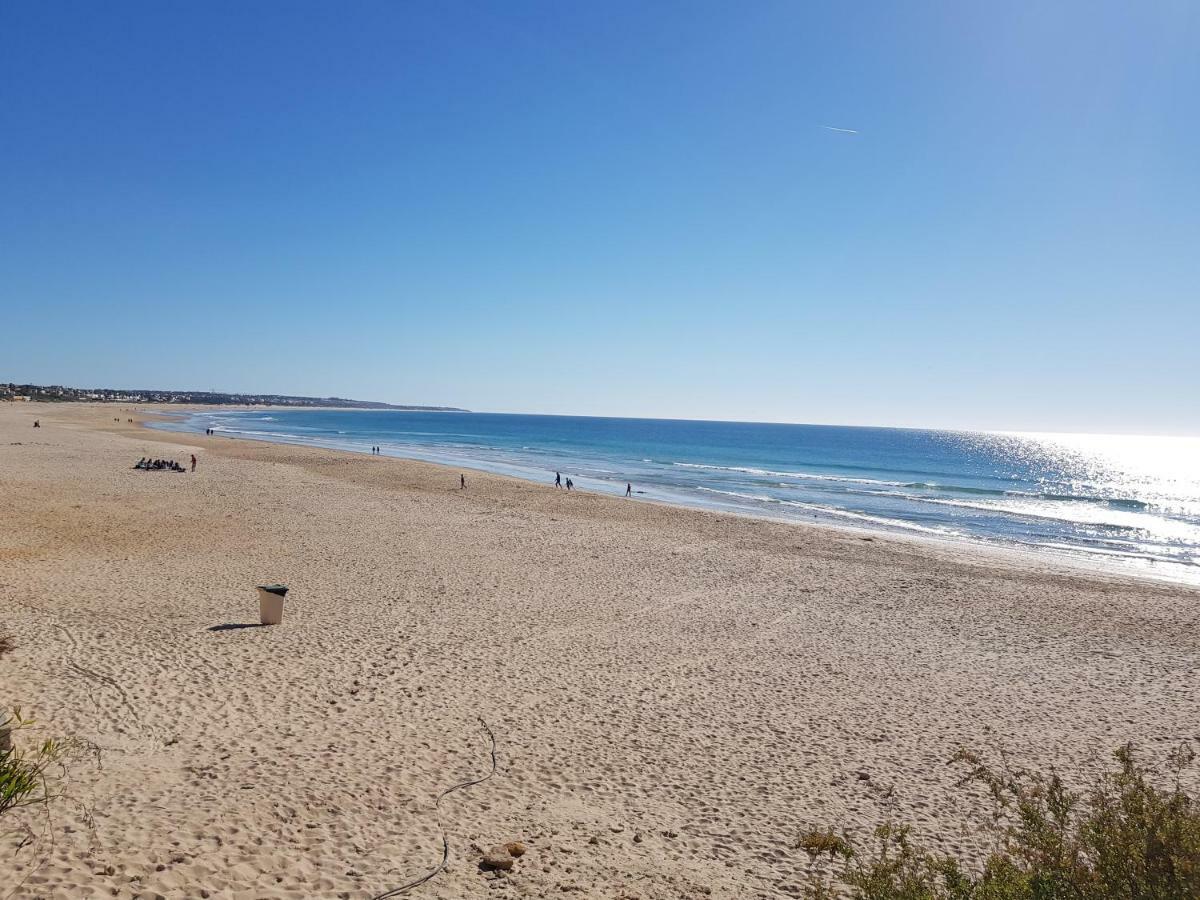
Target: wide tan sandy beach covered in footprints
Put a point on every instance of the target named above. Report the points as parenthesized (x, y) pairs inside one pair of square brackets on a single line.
[(675, 694)]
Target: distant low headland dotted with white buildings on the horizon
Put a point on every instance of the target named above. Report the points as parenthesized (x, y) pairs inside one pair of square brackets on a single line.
[(59, 394)]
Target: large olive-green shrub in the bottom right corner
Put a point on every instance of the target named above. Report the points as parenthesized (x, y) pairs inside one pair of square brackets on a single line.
[(1126, 838)]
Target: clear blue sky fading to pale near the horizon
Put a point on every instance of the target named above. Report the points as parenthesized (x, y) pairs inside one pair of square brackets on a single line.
[(614, 208)]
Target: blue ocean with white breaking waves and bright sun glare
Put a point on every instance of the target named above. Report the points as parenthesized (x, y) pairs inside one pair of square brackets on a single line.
[(1125, 502)]
